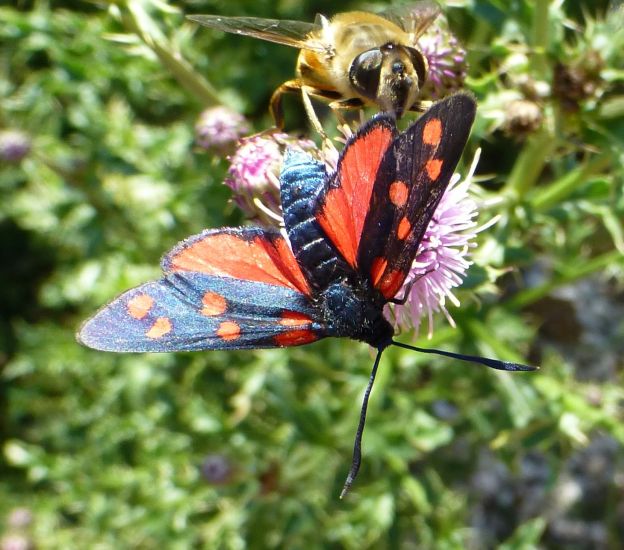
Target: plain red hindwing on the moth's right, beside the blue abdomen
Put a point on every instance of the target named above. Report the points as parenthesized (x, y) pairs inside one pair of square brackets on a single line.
[(345, 207)]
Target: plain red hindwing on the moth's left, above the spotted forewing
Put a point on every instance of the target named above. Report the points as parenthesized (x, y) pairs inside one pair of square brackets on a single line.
[(259, 258)]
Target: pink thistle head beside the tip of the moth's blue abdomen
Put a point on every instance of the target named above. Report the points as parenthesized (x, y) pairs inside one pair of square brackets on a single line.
[(254, 172)]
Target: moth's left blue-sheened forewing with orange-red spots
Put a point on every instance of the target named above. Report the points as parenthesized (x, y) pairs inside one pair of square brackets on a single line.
[(189, 311)]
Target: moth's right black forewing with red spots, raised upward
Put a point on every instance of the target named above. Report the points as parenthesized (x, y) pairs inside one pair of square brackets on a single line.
[(412, 177)]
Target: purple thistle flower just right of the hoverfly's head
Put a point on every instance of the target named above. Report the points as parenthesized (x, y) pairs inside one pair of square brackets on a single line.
[(446, 59)]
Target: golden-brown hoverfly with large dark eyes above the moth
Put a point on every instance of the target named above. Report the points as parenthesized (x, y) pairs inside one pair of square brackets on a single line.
[(350, 60)]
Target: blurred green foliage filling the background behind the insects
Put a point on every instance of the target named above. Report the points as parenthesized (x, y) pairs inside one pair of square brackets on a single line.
[(250, 449)]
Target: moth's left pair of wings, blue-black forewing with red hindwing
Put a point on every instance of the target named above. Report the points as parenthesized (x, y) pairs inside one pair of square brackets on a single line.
[(210, 298)]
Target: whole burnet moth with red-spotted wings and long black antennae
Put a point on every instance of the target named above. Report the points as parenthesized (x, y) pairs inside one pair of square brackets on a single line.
[(351, 239)]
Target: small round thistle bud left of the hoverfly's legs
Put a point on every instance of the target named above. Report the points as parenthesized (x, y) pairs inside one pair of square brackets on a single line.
[(219, 128)]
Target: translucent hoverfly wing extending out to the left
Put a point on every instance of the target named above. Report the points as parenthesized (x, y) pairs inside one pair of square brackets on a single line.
[(287, 32)]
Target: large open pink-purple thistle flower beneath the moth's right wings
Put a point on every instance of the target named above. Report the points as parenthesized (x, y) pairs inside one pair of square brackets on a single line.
[(441, 261)]
